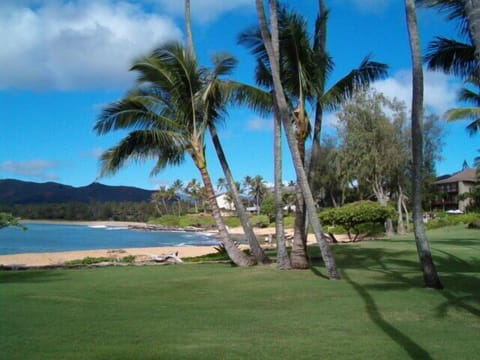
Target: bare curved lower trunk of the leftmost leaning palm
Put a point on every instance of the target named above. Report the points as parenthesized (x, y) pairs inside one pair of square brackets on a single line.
[(237, 256)]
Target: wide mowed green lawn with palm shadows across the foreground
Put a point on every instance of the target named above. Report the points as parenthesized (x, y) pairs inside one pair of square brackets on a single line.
[(379, 310)]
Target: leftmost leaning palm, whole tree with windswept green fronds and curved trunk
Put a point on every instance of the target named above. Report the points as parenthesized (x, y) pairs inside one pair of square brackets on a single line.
[(167, 119)]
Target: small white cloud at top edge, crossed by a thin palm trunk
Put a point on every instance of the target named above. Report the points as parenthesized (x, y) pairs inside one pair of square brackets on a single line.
[(204, 10)]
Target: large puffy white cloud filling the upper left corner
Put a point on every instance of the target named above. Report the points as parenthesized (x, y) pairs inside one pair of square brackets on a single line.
[(76, 44)]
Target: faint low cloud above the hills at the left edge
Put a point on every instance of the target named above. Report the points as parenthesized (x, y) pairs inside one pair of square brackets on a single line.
[(39, 169)]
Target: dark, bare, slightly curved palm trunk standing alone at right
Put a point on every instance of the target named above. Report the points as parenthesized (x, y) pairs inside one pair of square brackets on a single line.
[(430, 276)]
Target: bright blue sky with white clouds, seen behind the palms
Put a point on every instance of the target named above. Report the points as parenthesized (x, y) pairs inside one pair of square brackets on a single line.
[(62, 60)]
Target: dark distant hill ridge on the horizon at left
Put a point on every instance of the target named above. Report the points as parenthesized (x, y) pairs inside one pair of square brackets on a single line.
[(24, 192)]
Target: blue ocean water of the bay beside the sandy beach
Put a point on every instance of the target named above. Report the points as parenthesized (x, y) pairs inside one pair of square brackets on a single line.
[(52, 238)]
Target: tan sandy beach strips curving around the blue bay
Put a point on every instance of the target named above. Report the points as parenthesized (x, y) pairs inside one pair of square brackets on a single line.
[(55, 258)]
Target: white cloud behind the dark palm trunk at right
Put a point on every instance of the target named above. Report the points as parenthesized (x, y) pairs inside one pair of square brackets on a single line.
[(440, 90)]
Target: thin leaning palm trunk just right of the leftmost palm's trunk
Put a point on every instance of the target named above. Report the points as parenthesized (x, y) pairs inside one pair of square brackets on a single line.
[(255, 247)]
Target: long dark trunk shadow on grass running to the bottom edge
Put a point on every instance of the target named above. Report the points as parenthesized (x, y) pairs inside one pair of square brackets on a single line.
[(411, 347)]
